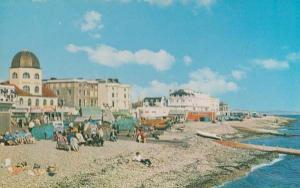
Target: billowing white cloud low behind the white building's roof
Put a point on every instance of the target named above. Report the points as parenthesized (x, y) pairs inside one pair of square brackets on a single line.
[(204, 80)]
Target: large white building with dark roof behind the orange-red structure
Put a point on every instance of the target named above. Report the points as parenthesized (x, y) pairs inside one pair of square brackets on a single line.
[(193, 101)]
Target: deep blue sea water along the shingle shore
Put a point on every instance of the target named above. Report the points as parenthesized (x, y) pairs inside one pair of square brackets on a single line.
[(282, 172)]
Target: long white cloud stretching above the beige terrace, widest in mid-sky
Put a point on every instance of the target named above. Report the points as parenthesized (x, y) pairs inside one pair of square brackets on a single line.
[(112, 57)]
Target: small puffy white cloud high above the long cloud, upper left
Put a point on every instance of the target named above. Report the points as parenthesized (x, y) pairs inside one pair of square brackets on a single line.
[(91, 21)]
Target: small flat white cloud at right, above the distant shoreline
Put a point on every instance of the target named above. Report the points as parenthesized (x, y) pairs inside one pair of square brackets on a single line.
[(272, 64)]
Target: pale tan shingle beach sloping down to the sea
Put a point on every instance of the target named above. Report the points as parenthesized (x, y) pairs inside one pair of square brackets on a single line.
[(179, 158)]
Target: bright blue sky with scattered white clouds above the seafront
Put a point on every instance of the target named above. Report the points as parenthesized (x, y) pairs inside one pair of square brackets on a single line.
[(247, 53)]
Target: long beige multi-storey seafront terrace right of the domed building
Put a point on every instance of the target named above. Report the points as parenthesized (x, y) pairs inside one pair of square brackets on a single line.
[(78, 93)]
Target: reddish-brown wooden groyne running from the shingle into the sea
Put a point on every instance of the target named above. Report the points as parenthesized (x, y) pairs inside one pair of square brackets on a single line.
[(260, 148)]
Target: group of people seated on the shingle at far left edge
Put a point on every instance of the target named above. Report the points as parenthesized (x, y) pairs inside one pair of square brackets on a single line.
[(16, 138)]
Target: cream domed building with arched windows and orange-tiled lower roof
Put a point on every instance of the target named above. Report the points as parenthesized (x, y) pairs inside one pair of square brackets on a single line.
[(25, 74)]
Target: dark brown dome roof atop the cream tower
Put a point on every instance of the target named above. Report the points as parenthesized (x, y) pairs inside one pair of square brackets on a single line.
[(25, 59)]
